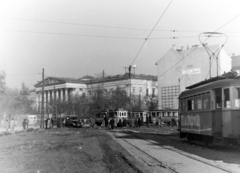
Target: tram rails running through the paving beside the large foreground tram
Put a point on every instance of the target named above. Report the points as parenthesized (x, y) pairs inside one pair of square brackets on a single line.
[(162, 164)]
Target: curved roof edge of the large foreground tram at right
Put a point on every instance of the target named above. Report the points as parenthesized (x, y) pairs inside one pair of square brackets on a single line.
[(211, 85)]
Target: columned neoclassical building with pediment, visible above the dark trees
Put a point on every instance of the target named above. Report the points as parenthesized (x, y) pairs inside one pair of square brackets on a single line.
[(64, 88)]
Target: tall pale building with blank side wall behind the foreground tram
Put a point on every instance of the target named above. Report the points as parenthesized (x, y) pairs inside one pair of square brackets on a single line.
[(180, 68)]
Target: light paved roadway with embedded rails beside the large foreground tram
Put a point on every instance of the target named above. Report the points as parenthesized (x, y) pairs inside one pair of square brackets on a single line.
[(167, 159)]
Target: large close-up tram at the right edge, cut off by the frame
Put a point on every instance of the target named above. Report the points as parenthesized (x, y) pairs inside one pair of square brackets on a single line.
[(210, 111)]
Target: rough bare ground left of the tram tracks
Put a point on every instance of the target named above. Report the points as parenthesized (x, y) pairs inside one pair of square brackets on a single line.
[(65, 150)]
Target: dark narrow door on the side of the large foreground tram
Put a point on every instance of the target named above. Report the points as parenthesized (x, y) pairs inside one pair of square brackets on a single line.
[(217, 114)]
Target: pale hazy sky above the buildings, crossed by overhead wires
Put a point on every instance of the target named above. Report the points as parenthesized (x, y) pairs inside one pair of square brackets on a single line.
[(74, 38)]
